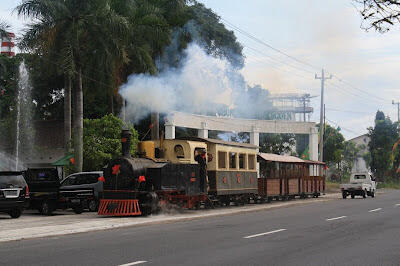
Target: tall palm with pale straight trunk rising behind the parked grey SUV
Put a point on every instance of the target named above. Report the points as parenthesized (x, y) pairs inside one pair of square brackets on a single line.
[(69, 29)]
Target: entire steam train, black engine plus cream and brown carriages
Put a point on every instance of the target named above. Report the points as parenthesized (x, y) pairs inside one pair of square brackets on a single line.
[(192, 172)]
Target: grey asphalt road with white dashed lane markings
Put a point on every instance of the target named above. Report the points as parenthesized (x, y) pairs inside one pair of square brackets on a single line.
[(340, 232)]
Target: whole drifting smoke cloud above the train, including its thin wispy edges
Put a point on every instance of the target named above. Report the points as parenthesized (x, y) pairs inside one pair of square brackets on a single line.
[(201, 84)]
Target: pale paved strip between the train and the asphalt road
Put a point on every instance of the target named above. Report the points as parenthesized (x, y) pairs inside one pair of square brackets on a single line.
[(33, 225)]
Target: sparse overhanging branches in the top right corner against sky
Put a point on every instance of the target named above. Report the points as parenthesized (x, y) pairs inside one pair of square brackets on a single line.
[(379, 14)]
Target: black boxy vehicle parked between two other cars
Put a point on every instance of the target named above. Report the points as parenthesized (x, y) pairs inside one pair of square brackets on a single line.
[(46, 195)]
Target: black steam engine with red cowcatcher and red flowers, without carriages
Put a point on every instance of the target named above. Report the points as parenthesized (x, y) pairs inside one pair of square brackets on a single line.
[(137, 186)]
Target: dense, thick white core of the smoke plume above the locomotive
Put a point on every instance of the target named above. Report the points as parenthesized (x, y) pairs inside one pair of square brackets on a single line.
[(200, 84)]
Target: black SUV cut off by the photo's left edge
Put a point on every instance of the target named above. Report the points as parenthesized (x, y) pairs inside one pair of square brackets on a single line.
[(14, 193)]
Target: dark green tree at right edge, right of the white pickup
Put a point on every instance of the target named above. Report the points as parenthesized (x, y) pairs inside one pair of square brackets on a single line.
[(383, 135)]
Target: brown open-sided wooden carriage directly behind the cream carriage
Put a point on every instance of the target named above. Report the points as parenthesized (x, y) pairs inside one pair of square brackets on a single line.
[(280, 176)]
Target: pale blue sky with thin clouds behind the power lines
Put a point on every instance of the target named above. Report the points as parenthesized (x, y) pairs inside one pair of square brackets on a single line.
[(322, 33)]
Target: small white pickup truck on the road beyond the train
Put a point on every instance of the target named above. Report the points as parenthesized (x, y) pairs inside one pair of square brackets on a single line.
[(361, 184)]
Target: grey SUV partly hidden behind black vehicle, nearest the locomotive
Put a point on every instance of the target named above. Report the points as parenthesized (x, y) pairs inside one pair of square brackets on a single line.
[(85, 181)]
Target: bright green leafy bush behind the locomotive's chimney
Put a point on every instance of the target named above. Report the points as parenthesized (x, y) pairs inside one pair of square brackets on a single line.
[(102, 141)]
